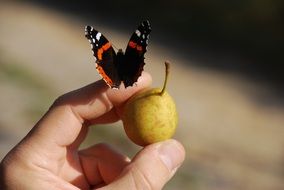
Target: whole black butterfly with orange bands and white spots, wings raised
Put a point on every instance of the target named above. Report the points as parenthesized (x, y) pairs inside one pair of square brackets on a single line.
[(120, 67)]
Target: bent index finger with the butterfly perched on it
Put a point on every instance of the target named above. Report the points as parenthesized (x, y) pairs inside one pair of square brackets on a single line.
[(93, 103)]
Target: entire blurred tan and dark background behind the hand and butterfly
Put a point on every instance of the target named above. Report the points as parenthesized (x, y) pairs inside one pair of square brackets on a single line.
[(226, 77)]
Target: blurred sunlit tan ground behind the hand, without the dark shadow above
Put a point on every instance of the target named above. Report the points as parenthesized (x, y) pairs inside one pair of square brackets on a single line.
[(233, 139)]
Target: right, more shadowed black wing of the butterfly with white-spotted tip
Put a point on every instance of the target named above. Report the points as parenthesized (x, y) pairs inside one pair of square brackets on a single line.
[(132, 66)]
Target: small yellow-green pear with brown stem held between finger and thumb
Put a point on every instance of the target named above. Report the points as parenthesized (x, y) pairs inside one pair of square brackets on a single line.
[(150, 115)]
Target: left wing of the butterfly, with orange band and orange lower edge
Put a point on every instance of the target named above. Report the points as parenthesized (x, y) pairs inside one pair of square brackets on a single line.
[(105, 57)]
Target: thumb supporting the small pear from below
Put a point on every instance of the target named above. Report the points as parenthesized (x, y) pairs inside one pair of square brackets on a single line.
[(152, 167)]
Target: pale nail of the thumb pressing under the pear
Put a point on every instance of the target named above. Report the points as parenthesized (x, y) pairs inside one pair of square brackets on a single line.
[(171, 154)]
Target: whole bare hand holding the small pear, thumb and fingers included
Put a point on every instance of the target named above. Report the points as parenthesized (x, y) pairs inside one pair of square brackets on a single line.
[(48, 157)]
